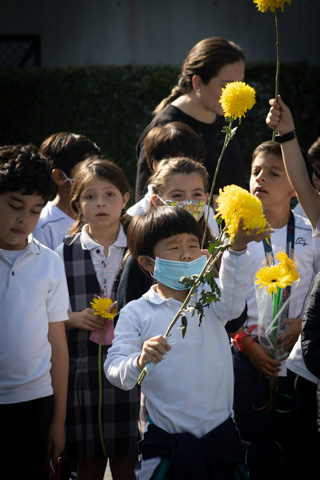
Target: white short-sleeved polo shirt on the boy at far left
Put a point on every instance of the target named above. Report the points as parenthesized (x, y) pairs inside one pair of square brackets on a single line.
[(33, 293)]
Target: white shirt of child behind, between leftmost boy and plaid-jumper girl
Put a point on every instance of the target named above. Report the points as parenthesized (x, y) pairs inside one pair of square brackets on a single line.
[(53, 225)]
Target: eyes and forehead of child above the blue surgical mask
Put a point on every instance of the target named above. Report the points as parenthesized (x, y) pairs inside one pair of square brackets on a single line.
[(183, 247)]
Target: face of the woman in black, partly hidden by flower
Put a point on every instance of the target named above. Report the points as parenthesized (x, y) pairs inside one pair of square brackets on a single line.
[(211, 92)]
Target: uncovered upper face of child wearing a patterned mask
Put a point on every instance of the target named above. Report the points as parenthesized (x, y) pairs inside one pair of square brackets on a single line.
[(182, 186)]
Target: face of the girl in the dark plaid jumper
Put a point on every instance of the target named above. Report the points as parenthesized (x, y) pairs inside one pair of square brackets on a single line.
[(101, 203)]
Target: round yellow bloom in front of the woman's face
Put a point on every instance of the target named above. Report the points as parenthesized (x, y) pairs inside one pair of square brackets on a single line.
[(236, 99)]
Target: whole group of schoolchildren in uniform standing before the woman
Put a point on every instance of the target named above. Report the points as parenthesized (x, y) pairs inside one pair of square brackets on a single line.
[(203, 407)]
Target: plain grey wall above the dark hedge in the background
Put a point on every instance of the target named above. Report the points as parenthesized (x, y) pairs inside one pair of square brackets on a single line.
[(121, 32)]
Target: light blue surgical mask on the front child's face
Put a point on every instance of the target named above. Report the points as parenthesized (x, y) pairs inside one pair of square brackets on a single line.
[(169, 272)]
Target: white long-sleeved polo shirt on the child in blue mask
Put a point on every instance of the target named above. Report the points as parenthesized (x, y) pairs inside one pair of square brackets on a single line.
[(191, 390)]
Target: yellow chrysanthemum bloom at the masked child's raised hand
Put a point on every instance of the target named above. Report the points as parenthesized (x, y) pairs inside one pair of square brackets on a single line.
[(235, 202)]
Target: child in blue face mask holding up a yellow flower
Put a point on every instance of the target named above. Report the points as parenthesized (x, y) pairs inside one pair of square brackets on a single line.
[(189, 396)]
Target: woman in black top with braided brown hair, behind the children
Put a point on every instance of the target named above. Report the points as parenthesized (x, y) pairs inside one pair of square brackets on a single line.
[(210, 65)]
